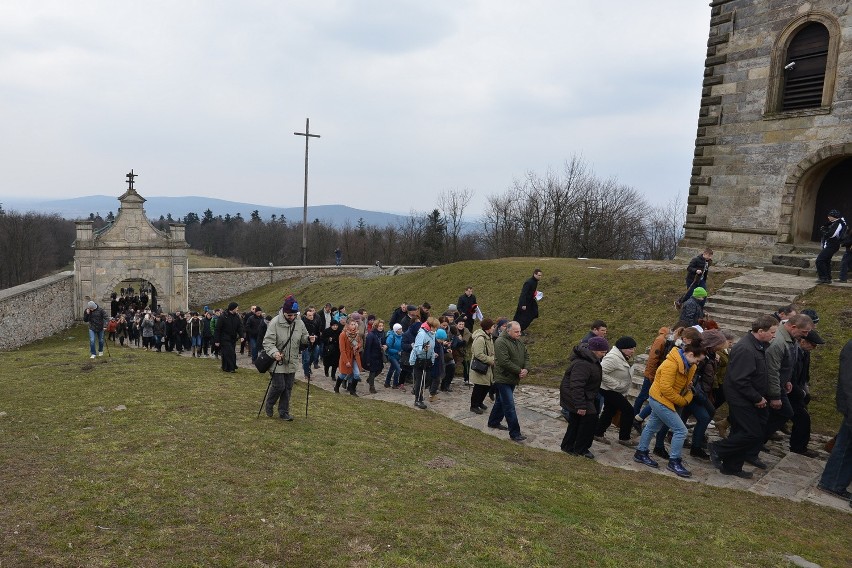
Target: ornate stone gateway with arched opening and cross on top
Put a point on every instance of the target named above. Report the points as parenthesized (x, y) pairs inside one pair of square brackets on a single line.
[(131, 250)]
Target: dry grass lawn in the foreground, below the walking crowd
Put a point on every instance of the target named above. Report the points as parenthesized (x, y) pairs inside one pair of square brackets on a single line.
[(187, 476)]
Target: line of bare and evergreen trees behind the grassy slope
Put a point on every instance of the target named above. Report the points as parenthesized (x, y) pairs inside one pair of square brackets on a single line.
[(567, 213)]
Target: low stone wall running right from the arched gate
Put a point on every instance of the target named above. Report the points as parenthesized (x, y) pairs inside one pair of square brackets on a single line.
[(210, 285)]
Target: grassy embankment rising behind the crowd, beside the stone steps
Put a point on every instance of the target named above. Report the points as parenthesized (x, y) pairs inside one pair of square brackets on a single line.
[(634, 302)]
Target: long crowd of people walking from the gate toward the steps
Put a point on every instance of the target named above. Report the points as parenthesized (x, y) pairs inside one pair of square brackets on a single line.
[(693, 369)]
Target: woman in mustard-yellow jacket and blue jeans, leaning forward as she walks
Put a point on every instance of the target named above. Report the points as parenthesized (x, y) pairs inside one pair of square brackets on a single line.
[(672, 389)]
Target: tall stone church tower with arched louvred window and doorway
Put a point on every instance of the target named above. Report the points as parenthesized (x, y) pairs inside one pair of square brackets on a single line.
[(773, 151)]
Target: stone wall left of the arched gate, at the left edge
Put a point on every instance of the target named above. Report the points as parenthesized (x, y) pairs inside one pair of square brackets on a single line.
[(36, 310)]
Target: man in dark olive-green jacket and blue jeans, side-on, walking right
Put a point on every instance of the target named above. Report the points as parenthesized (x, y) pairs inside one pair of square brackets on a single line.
[(510, 366)]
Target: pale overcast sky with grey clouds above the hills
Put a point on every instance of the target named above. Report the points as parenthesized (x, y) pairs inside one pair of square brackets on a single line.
[(411, 98)]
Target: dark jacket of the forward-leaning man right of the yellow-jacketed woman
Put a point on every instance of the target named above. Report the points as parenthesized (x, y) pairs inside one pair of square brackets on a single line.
[(746, 380)]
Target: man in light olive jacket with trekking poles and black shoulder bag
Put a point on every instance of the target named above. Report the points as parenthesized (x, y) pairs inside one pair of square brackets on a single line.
[(285, 336)]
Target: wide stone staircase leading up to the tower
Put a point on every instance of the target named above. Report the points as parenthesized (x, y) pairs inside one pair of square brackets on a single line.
[(739, 301)]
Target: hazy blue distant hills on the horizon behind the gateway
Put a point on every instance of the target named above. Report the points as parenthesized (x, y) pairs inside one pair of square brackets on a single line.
[(80, 207)]
